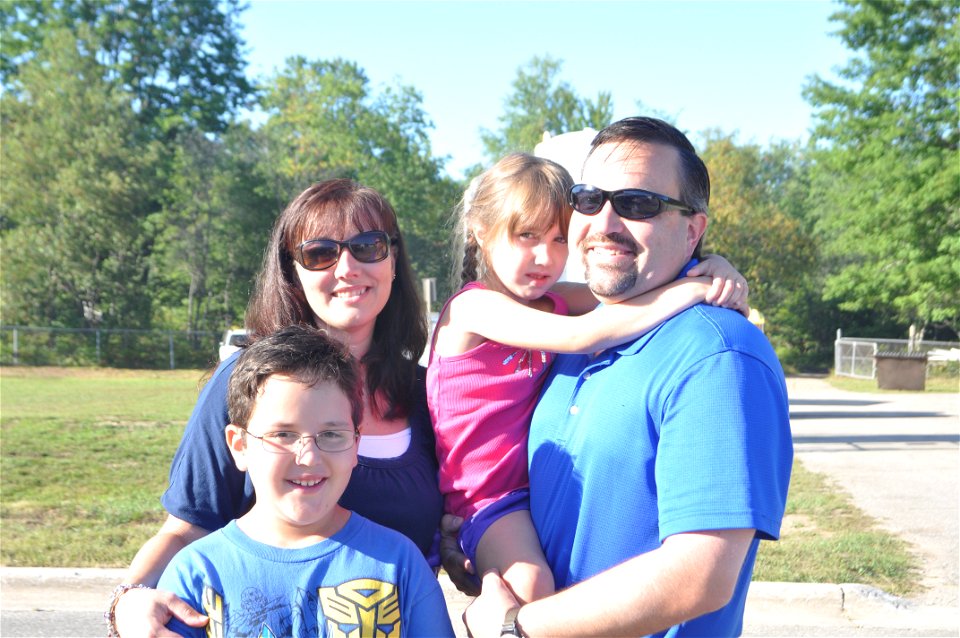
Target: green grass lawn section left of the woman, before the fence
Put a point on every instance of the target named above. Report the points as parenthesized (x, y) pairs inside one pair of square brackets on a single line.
[(84, 457)]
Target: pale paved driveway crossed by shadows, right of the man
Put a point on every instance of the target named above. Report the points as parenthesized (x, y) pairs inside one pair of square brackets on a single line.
[(898, 456)]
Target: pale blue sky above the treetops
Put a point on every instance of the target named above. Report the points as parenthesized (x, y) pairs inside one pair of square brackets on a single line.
[(739, 66)]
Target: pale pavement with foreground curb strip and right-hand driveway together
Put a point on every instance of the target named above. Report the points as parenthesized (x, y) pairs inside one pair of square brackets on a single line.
[(896, 454)]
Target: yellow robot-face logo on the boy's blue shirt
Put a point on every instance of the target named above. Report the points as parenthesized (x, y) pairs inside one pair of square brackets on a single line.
[(364, 608)]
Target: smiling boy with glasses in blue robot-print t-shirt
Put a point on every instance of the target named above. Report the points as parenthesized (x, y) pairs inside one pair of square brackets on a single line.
[(299, 564)]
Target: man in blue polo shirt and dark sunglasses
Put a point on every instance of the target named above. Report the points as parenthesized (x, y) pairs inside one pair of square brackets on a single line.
[(657, 466)]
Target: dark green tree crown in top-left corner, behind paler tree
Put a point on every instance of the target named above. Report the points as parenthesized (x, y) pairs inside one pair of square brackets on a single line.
[(182, 61)]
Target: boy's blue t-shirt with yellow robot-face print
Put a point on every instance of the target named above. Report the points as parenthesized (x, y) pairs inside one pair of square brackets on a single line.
[(366, 580)]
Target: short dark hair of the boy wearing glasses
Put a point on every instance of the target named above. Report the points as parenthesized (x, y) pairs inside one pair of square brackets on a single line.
[(306, 355)]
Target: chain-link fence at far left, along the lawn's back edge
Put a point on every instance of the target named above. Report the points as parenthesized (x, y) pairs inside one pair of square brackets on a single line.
[(110, 347)]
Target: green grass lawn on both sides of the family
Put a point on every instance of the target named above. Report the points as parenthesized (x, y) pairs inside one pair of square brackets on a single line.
[(85, 452)]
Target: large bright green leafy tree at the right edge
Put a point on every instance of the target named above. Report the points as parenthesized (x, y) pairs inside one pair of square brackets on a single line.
[(885, 185)]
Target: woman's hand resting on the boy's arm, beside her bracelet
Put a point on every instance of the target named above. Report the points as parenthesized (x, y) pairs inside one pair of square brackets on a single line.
[(145, 612)]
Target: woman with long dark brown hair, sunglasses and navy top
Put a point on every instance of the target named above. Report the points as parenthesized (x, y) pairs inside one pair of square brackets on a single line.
[(336, 260)]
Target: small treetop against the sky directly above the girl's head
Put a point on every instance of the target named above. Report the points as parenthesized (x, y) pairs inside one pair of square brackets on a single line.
[(541, 102)]
